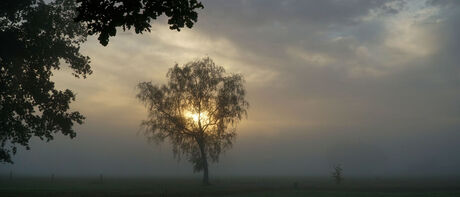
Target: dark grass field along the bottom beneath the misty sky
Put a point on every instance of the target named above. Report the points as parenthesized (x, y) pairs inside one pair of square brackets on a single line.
[(228, 186)]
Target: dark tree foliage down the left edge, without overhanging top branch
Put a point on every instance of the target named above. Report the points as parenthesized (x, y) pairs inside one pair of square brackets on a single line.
[(35, 38)]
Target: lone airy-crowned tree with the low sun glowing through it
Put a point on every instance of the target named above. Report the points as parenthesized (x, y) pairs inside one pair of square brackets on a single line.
[(196, 111)]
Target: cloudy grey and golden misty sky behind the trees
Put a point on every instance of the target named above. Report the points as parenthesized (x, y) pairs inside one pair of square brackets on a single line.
[(373, 85)]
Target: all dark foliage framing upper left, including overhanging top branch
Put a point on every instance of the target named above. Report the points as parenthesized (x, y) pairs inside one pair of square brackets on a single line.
[(36, 37)]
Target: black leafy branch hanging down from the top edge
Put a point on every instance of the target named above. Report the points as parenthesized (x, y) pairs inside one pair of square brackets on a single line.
[(103, 16)]
